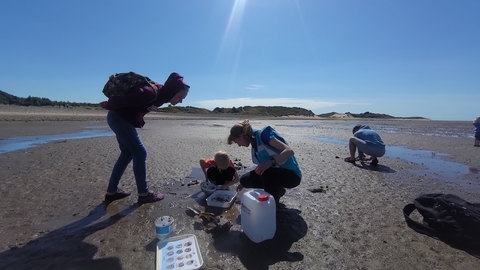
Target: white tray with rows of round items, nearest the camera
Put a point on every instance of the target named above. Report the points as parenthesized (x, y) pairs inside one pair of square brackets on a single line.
[(179, 252)]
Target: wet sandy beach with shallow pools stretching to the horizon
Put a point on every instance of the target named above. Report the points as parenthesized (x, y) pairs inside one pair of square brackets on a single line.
[(52, 216)]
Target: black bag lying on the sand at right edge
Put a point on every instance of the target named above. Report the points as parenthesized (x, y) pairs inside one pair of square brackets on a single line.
[(448, 218)]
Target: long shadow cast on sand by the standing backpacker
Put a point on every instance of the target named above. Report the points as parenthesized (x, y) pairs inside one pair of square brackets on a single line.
[(64, 248)]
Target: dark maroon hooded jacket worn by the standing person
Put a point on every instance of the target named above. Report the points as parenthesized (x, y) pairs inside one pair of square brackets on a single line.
[(134, 105)]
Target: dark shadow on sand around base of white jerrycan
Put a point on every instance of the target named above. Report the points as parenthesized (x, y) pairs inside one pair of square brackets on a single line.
[(291, 227)]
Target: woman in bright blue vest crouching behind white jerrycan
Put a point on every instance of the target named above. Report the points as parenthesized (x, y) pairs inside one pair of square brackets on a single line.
[(277, 167)]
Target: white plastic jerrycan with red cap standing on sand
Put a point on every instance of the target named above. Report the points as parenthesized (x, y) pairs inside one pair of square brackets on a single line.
[(258, 215)]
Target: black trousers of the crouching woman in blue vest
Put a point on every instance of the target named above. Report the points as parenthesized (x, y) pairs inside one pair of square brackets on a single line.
[(272, 180)]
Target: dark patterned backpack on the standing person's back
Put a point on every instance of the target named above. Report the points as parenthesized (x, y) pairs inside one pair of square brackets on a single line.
[(119, 84)]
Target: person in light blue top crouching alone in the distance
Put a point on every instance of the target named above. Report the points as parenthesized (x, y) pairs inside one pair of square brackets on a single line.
[(368, 142)]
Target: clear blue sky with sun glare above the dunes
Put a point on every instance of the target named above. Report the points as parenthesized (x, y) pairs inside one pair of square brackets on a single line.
[(403, 58)]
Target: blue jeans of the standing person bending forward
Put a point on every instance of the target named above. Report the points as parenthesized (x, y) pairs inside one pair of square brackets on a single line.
[(131, 148)]
